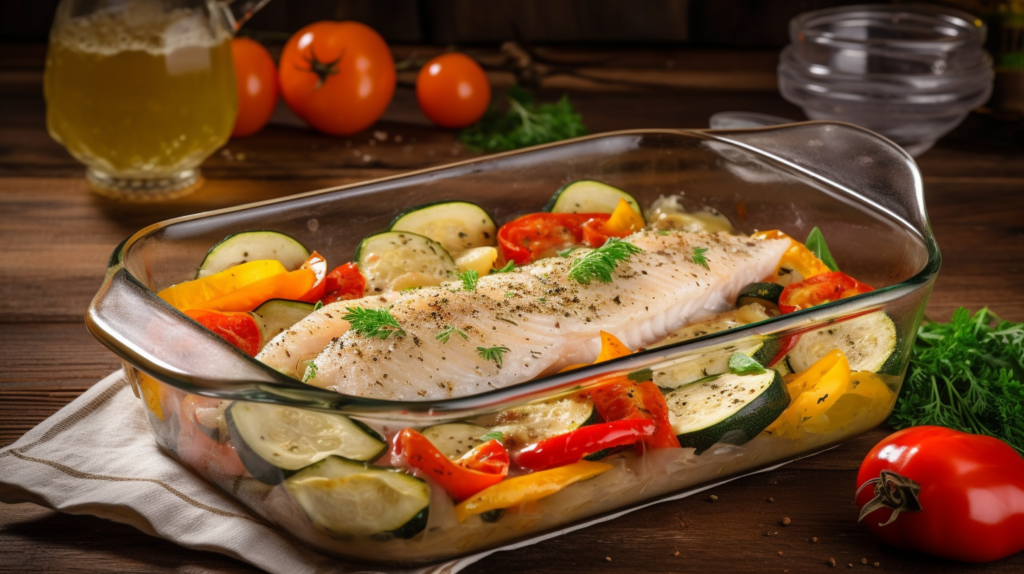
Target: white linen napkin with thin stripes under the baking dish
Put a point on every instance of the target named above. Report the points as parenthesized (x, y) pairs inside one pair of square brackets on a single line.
[(98, 457)]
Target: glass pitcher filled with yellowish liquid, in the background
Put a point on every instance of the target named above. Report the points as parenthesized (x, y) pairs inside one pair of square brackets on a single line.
[(143, 92)]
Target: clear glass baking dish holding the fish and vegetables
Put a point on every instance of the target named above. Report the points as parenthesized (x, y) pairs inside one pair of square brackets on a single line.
[(863, 191)]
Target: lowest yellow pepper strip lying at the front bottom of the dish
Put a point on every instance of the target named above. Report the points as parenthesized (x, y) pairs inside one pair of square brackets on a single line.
[(519, 491)]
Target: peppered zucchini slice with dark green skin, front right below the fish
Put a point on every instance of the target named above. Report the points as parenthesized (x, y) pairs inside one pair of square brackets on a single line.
[(730, 410)]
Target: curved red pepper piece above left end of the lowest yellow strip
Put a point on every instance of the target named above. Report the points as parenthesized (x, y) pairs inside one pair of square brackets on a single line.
[(486, 466)]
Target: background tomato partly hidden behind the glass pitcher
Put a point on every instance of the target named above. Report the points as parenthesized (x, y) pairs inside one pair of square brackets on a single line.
[(257, 80)]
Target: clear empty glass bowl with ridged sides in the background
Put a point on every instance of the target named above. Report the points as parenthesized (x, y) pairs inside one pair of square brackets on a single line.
[(911, 73)]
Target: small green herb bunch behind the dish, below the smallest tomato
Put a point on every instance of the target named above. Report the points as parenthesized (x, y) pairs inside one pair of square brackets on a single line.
[(525, 124)]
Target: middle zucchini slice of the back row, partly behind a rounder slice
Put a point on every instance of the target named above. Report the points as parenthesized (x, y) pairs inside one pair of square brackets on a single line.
[(456, 226)]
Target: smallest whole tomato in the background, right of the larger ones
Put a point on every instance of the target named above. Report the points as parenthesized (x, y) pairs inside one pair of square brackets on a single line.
[(453, 91)]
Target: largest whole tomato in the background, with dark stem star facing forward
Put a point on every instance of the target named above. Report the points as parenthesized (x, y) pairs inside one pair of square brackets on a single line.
[(337, 76)]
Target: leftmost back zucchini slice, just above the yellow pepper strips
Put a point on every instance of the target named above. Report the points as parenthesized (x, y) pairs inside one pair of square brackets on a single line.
[(253, 246)]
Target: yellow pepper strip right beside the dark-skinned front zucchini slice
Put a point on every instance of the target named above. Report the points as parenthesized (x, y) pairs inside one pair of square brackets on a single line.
[(814, 392)]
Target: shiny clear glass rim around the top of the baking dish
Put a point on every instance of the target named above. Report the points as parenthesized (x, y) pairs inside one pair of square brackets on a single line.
[(547, 387)]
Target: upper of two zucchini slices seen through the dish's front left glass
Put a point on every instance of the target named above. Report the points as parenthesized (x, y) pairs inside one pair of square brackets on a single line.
[(276, 441)]
